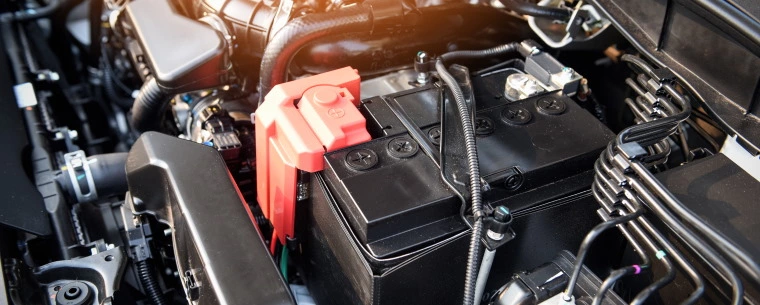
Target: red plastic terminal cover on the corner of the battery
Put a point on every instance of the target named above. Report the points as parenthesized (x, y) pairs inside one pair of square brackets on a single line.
[(292, 137)]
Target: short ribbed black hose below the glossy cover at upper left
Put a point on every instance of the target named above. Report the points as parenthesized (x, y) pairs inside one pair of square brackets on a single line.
[(149, 106)]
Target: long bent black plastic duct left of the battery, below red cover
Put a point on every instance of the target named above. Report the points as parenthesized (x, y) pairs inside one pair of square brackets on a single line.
[(187, 186)]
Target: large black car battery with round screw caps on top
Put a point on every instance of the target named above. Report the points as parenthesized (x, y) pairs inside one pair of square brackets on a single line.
[(385, 217)]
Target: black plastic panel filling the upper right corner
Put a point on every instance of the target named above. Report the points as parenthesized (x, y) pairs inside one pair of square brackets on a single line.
[(712, 45)]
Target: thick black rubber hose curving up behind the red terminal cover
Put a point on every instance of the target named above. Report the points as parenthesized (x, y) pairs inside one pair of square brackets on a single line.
[(301, 31)]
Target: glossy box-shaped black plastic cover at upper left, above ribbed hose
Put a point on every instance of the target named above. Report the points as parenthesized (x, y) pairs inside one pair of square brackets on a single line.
[(183, 54)]
